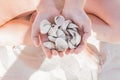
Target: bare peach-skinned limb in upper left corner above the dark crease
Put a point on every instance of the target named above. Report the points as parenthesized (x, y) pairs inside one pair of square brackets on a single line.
[(9, 9)]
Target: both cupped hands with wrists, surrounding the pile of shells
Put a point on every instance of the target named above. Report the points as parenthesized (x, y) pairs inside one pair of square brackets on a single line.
[(79, 17)]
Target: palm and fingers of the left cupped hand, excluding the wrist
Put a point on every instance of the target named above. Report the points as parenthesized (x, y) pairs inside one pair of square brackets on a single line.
[(36, 35)]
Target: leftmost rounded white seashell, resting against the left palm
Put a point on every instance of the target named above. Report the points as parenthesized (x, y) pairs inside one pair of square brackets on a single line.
[(45, 25)]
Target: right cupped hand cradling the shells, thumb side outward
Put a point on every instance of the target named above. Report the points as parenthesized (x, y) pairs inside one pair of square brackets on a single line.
[(79, 17)]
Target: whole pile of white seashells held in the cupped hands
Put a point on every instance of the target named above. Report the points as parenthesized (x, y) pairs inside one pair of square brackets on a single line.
[(62, 35)]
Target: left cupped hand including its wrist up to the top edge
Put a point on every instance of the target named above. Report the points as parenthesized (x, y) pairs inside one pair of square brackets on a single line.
[(46, 11)]
